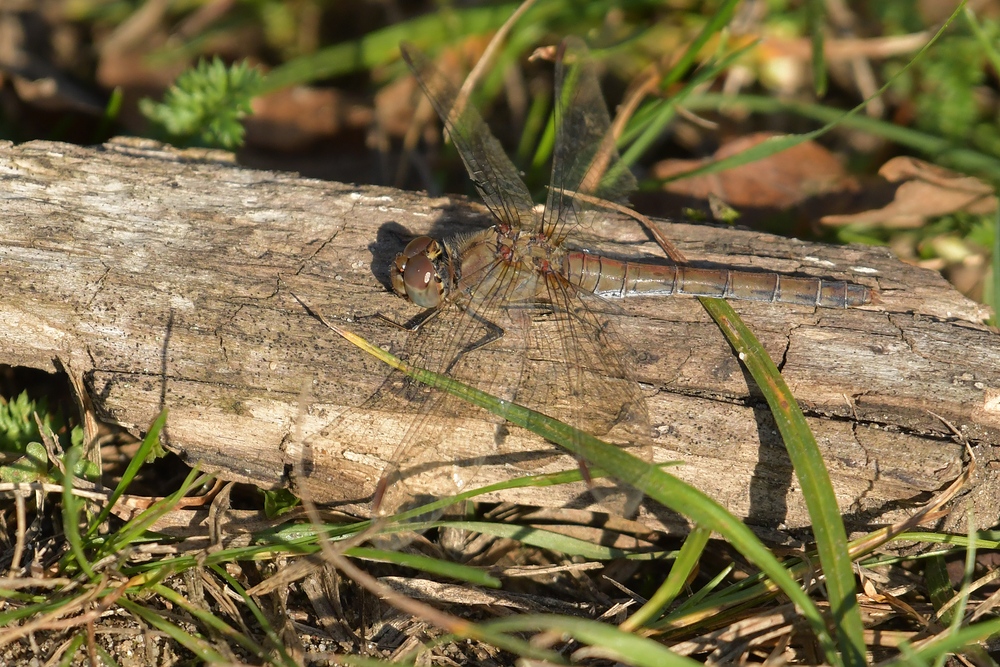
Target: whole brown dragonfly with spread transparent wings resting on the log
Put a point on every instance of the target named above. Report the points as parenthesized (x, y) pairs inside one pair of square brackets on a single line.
[(516, 311)]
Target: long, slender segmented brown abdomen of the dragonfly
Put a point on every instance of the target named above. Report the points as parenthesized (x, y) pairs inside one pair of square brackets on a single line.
[(612, 278)]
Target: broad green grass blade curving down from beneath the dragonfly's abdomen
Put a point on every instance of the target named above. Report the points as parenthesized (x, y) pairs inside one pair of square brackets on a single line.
[(821, 501)]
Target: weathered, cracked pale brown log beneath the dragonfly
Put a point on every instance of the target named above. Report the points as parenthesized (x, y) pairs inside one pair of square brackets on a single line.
[(166, 281)]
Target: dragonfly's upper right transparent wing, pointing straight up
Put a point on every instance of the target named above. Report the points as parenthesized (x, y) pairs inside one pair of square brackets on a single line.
[(584, 158)]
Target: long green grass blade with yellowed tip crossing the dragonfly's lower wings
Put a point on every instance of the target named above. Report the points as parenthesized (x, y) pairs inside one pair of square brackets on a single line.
[(662, 487)]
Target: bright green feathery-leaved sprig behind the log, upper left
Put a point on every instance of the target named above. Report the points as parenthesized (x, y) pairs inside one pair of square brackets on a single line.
[(205, 105)]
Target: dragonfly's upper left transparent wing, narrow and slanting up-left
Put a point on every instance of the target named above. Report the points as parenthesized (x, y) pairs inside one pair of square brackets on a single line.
[(492, 172)]
